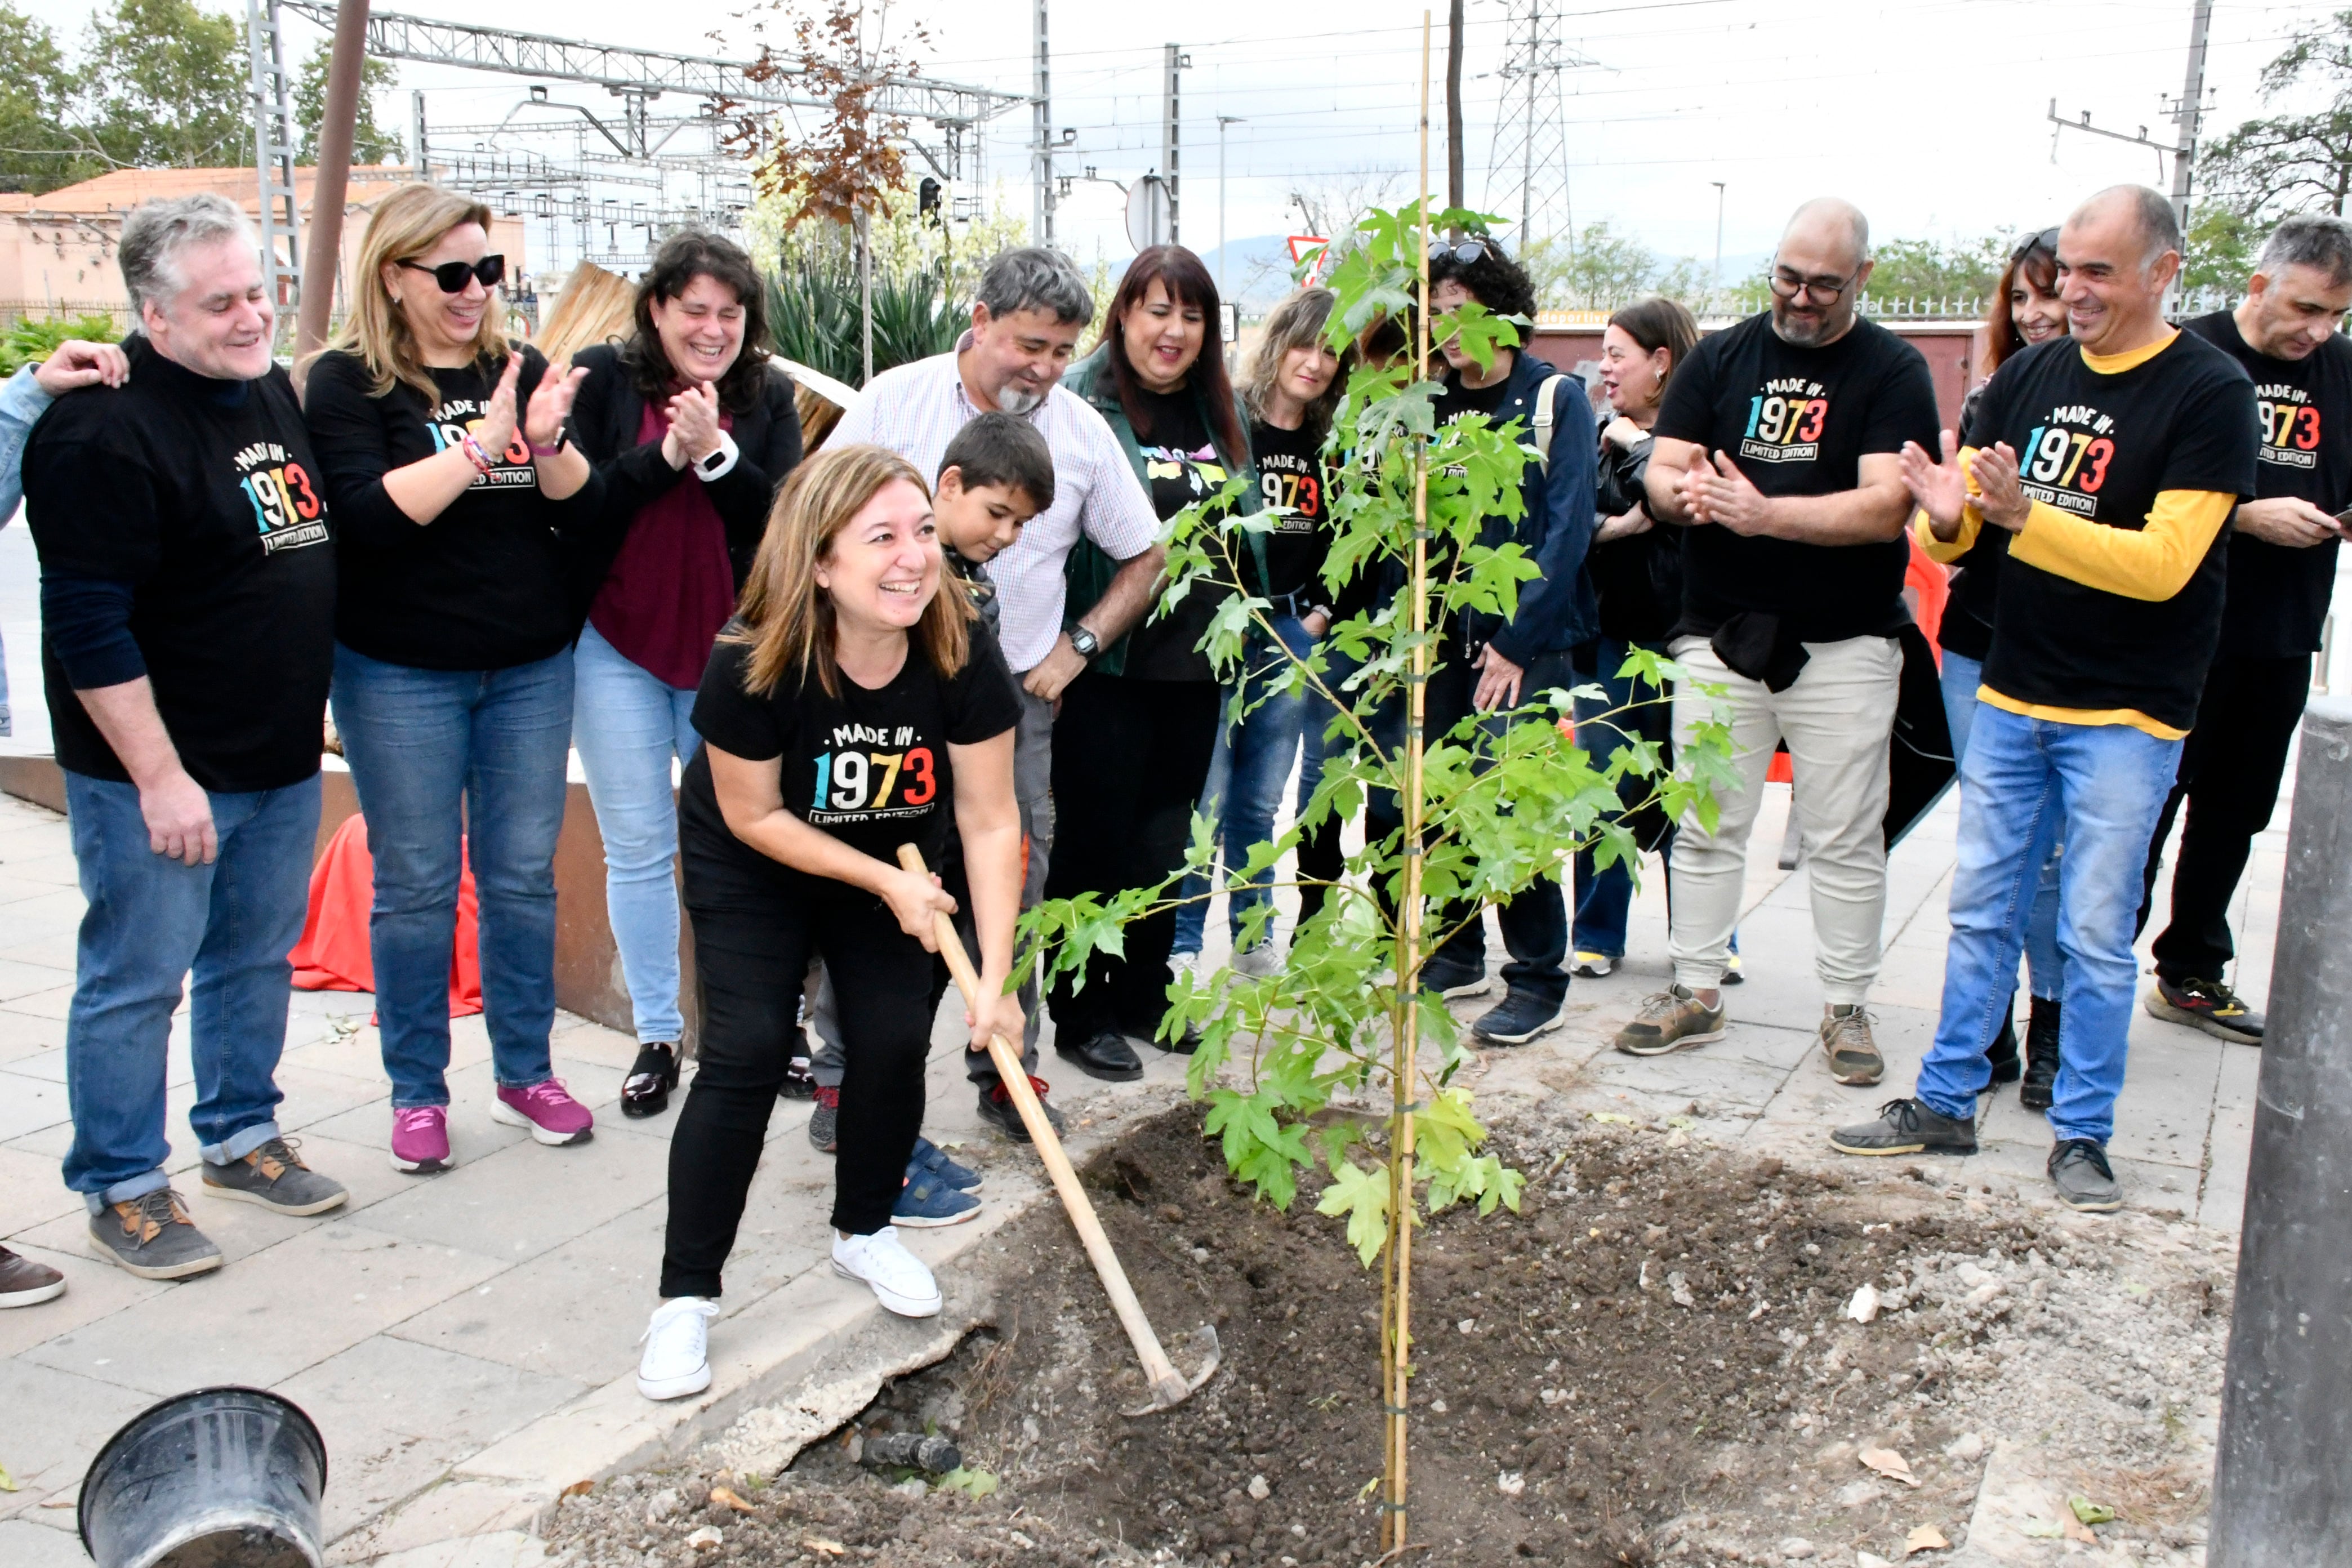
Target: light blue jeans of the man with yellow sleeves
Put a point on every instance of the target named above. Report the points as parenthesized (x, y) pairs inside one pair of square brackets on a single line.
[(2019, 782)]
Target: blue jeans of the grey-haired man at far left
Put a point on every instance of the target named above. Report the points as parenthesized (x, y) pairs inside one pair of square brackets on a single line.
[(154, 923)]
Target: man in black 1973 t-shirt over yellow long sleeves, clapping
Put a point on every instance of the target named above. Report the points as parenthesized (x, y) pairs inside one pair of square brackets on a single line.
[(2113, 460)]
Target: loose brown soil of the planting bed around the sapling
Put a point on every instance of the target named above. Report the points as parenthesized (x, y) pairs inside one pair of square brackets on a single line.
[(1650, 1365)]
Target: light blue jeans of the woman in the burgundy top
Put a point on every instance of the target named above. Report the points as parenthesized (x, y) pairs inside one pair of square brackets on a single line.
[(629, 725)]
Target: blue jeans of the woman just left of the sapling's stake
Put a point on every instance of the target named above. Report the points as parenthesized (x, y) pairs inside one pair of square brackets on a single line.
[(1248, 770)]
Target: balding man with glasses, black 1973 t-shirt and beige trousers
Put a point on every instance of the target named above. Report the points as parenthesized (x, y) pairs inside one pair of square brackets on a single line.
[(1779, 453)]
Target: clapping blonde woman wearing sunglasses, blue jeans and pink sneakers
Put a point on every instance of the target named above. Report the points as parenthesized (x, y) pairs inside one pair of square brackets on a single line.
[(460, 504)]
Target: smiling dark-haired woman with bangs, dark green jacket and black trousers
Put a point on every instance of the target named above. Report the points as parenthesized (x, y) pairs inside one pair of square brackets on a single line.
[(1144, 713)]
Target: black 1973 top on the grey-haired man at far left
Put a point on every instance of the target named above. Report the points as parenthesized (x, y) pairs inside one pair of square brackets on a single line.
[(203, 495)]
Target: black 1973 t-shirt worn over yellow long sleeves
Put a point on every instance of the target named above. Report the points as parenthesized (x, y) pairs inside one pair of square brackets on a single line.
[(2104, 448)]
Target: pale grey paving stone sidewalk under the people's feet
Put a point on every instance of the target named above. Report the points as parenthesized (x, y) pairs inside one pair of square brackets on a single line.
[(467, 1341)]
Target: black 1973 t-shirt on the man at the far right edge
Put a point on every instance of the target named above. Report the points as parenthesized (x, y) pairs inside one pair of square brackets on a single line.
[(2304, 427)]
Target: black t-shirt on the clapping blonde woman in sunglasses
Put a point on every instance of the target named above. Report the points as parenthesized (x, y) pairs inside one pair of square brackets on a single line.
[(483, 587)]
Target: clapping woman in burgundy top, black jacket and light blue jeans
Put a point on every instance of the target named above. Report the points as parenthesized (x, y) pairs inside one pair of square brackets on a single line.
[(693, 431)]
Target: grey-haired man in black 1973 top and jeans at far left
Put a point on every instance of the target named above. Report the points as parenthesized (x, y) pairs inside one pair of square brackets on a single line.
[(187, 594)]
